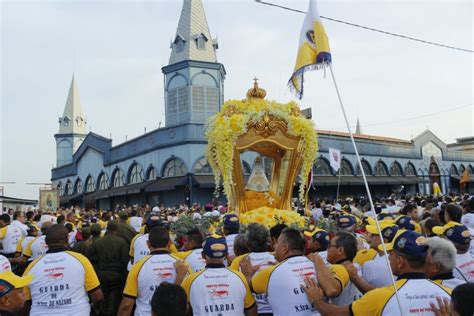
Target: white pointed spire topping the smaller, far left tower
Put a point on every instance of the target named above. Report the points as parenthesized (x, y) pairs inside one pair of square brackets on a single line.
[(73, 119)]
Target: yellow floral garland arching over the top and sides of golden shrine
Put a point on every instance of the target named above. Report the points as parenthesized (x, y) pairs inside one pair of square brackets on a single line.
[(225, 127)]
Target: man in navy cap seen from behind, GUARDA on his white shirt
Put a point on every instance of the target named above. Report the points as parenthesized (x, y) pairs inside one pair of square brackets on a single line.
[(218, 290)]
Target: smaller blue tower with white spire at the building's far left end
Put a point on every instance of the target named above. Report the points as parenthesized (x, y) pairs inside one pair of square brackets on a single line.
[(72, 127)]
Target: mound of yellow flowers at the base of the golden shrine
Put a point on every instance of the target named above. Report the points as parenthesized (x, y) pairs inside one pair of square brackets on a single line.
[(271, 216)]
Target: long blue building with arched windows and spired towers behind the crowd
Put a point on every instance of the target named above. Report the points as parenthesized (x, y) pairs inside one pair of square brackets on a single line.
[(167, 165)]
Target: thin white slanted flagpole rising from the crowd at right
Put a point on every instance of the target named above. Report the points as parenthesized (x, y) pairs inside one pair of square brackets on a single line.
[(366, 187)]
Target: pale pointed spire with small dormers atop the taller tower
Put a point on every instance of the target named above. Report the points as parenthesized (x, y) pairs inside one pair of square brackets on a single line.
[(193, 40)]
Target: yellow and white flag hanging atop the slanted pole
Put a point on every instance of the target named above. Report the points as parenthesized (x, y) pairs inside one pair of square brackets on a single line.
[(313, 50)]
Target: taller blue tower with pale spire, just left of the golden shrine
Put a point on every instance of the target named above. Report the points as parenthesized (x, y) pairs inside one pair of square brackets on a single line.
[(194, 80)]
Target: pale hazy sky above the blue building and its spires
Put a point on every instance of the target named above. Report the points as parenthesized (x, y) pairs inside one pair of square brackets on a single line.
[(397, 88)]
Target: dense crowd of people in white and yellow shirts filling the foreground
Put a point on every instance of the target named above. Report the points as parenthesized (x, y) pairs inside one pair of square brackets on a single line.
[(417, 258)]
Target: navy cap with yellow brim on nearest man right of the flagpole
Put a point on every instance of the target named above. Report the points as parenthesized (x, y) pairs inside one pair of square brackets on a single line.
[(409, 243)]
